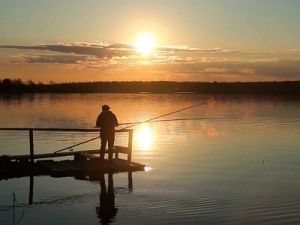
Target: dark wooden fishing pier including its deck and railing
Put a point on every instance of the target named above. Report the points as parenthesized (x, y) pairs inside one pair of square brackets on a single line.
[(85, 163)]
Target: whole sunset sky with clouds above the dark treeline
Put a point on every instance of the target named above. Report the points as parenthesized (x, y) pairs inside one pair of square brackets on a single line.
[(193, 40)]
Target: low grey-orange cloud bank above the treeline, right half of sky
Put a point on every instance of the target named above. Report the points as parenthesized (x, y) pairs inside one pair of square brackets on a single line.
[(226, 70)]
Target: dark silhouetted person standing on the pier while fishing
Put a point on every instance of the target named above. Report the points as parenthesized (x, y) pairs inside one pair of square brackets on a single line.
[(107, 121)]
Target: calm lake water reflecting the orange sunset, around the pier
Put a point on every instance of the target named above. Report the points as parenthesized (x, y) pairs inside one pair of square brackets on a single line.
[(238, 166)]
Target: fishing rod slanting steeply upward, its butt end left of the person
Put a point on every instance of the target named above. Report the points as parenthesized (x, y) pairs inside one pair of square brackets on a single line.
[(132, 125)]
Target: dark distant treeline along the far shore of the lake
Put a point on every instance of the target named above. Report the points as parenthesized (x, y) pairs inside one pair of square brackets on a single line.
[(267, 88)]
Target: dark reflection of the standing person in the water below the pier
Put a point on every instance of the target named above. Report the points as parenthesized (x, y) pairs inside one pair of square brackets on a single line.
[(107, 210)]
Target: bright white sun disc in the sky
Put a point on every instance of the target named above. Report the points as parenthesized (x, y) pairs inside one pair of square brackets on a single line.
[(144, 43)]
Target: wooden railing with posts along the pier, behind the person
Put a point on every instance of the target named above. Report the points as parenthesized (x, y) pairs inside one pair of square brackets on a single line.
[(117, 149)]
